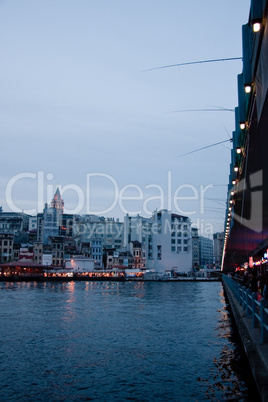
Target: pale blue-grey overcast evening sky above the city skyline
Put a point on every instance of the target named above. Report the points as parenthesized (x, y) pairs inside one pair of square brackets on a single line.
[(79, 109)]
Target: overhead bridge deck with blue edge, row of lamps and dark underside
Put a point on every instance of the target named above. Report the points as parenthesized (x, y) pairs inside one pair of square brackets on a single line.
[(246, 220)]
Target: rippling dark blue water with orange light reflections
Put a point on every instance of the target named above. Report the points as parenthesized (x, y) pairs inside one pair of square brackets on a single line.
[(120, 341)]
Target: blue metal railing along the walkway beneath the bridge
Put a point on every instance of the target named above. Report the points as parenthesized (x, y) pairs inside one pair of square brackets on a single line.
[(254, 309)]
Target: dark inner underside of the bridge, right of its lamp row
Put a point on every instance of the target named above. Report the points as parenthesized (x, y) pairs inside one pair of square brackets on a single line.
[(247, 235)]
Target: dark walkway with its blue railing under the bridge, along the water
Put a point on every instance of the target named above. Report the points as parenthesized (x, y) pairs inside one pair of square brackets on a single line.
[(251, 318)]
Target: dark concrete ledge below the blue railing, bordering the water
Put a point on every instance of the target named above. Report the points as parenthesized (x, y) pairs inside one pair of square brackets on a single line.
[(255, 346)]
